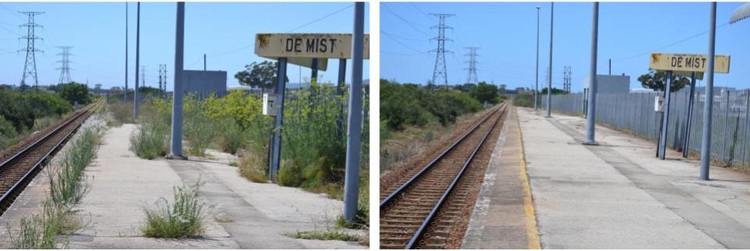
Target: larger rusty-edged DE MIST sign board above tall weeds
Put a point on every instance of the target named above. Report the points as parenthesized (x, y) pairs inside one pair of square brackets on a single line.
[(307, 45)]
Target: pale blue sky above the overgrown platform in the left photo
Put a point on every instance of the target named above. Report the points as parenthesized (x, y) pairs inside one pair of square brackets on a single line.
[(224, 31)]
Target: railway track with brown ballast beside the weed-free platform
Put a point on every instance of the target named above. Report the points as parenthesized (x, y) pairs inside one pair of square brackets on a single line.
[(425, 210)]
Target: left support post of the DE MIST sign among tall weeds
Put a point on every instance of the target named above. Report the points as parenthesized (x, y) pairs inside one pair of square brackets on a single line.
[(280, 92)]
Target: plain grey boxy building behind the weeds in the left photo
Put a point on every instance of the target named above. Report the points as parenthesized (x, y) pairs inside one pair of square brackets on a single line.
[(205, 83)]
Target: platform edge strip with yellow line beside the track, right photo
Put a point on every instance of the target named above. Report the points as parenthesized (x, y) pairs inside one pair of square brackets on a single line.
[(503, 215)]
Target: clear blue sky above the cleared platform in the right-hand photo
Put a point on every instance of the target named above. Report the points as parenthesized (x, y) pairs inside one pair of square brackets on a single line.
[(506, 33)]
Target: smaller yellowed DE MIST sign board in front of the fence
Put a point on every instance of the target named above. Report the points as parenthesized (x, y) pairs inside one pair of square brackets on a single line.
[(687, 62)]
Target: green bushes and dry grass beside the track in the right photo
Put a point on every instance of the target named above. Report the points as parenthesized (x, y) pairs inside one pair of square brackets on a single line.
[(413, 116)]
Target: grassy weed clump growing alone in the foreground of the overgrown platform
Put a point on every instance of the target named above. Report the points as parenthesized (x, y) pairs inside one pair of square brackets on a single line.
[(181, 219)]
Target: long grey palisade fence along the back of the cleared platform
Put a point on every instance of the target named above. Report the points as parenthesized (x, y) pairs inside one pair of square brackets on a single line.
[(634, 113)]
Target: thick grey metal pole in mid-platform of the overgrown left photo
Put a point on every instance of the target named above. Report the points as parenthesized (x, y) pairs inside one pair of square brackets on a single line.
[(176, 146)]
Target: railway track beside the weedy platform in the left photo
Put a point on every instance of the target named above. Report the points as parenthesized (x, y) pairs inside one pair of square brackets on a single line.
[(20, 165)]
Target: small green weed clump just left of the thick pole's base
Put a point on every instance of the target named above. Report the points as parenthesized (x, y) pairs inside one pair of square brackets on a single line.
[(149, 140)]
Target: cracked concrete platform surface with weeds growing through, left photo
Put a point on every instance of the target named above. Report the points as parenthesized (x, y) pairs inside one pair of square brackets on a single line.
[(241, 214)]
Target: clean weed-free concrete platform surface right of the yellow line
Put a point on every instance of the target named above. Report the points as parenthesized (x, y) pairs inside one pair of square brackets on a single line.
[(618, 195)]
